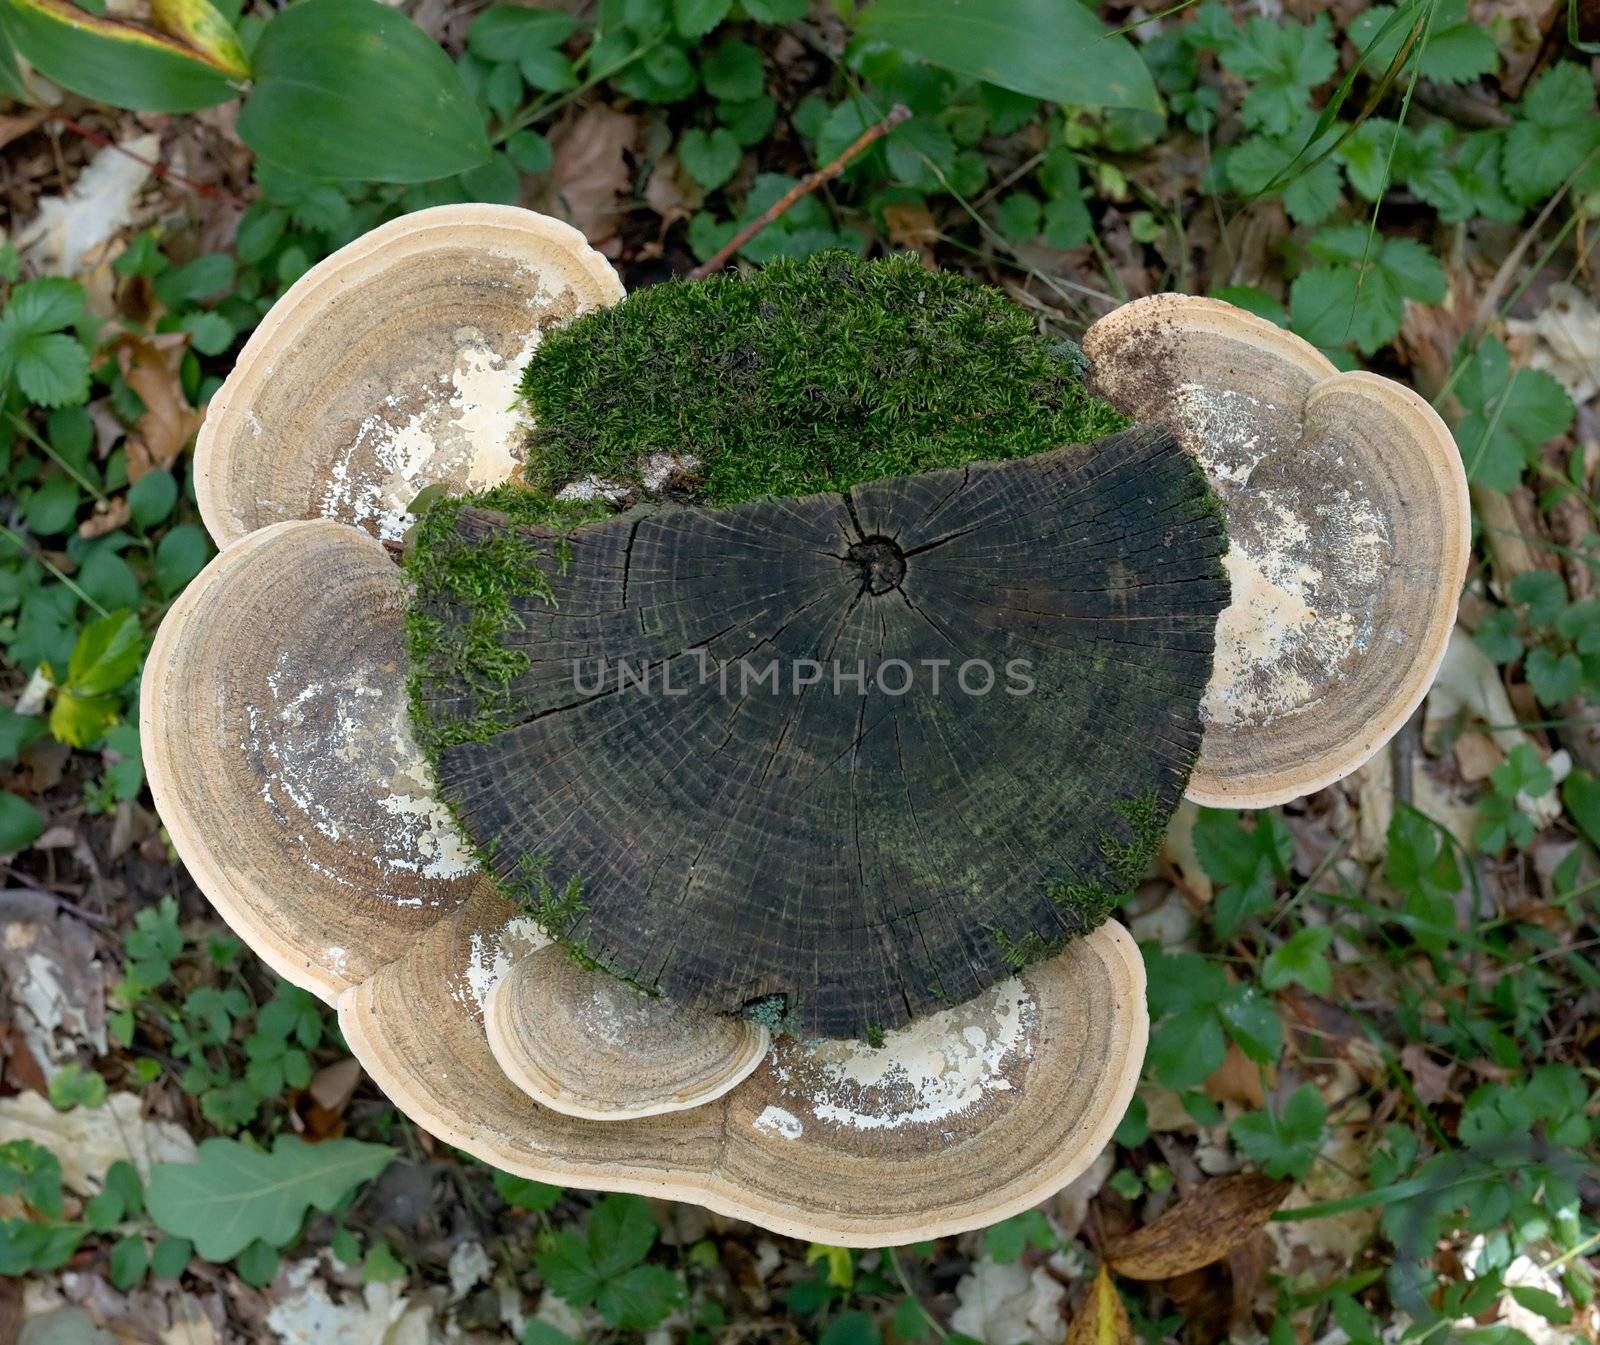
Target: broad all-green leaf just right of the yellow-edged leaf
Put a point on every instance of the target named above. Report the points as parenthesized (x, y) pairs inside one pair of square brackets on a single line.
[(351, 89)]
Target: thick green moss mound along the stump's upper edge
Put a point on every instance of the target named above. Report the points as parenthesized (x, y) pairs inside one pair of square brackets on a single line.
[(809, 377)]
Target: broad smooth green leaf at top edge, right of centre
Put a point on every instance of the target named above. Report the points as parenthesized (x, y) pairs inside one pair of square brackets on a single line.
[(1044, 49)]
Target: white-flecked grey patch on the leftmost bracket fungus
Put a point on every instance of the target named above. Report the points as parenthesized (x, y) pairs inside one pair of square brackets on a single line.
[(345, 778)]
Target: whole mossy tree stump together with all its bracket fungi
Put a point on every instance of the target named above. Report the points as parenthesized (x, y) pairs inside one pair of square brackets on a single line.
[(833, 959)]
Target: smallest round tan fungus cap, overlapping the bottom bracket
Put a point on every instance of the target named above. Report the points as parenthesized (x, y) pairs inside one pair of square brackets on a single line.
[(588, 1045)]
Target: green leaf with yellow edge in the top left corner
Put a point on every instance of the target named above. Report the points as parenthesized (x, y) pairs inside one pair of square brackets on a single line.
[(113, 62)]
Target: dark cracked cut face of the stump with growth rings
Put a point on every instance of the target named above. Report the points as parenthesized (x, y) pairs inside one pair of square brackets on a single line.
[(870, 858)]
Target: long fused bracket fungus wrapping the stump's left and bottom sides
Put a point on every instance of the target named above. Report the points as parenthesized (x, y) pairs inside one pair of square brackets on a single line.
[(284, 772)]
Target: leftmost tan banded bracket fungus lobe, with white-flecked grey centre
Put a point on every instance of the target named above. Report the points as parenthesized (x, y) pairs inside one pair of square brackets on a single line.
[(281, 756)]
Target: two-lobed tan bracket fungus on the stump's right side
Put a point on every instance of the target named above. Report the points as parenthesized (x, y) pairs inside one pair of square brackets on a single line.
[(1350, 532)]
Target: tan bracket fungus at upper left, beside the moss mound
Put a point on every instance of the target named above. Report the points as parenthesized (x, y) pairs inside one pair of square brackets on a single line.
[(391, 367)]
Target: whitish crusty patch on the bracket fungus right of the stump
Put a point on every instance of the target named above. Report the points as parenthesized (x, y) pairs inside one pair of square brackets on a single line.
[(1306, 559)]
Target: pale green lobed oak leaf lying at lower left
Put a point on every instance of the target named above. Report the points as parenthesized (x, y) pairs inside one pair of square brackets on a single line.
[(234, 1194)]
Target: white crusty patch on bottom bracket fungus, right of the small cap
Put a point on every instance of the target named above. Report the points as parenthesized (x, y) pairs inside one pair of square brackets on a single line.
[(930, 1074)]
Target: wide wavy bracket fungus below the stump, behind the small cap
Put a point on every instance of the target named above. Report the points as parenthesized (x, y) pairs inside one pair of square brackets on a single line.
[(969, 1117)]
